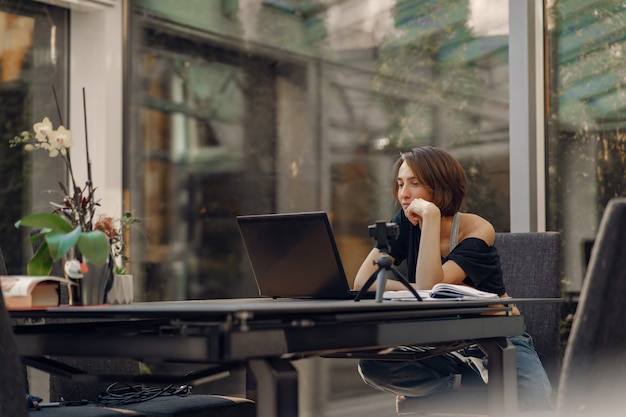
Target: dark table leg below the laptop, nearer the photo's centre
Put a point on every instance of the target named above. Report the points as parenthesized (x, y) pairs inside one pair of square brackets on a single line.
[(274, 387)]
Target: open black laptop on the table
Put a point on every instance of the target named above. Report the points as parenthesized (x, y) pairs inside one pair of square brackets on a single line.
[(294, 255)]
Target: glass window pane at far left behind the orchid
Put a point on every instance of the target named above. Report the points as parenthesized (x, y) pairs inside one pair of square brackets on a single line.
[(33, 53)]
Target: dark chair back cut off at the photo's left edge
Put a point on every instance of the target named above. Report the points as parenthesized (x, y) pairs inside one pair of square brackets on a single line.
[(12, 384)]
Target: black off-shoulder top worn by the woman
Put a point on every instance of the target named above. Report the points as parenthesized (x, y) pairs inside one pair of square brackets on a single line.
[(478, 260)]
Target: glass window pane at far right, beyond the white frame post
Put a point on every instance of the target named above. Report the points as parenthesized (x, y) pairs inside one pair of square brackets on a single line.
[(586, 140)]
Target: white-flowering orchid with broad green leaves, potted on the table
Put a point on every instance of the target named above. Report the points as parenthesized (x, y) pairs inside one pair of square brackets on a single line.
[(91, 248)]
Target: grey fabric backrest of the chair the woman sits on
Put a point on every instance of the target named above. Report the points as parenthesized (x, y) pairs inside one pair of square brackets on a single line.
[(531, 266)]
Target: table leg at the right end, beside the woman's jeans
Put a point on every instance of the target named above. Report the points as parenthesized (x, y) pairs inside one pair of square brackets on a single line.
[(502, 386)]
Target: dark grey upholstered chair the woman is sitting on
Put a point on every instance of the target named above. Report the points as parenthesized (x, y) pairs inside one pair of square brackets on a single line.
[(531, 267)]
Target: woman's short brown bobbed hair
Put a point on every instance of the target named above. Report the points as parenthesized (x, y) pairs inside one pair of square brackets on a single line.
[(438, 170)]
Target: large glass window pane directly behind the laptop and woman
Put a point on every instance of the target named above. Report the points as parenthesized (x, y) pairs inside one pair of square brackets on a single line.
[(282, 106)]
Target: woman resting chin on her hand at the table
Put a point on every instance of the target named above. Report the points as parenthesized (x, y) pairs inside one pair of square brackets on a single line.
[(440, 244)]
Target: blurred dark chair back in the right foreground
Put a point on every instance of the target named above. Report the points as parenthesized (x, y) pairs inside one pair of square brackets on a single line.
[(594, 366)]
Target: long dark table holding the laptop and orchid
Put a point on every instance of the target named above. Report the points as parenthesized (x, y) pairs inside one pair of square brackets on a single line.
[(266, 335)]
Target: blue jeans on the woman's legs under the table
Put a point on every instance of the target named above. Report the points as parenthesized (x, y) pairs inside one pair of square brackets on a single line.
[(443, 373)]
